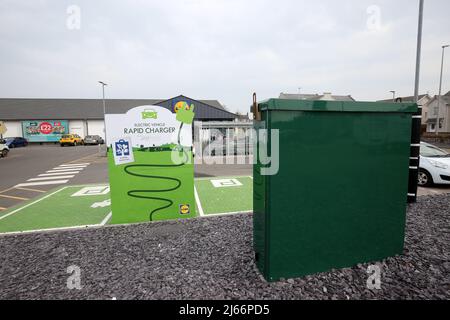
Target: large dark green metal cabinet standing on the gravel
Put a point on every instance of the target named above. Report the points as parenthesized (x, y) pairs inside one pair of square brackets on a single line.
[(339, 196)]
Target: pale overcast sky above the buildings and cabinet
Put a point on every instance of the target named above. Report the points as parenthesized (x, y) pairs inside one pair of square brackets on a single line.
[(219, 49)]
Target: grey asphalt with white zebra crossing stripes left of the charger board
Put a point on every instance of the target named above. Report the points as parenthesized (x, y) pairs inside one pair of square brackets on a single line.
[(23, 164)]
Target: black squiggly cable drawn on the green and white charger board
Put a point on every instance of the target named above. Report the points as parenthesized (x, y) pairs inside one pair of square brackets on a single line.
[(141, 194)]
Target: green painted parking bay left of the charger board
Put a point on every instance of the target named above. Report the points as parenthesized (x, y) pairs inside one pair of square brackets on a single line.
[(66, 207)]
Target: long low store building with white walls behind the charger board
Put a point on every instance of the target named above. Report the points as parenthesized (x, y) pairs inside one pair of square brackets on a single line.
[(45, 120)]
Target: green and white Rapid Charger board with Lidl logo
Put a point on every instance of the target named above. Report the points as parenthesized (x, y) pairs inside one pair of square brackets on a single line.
[(151, 167)]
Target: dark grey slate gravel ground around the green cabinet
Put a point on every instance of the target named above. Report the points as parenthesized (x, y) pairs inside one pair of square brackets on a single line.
[(212, 259)]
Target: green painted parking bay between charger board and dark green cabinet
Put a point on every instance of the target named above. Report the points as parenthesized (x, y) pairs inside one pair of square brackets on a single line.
[(224, 195)]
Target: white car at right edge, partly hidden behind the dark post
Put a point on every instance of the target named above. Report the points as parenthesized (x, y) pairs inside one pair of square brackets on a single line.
[(434, 165)]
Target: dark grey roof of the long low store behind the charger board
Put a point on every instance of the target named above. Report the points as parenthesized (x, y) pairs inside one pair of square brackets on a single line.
[(89, 109)]
